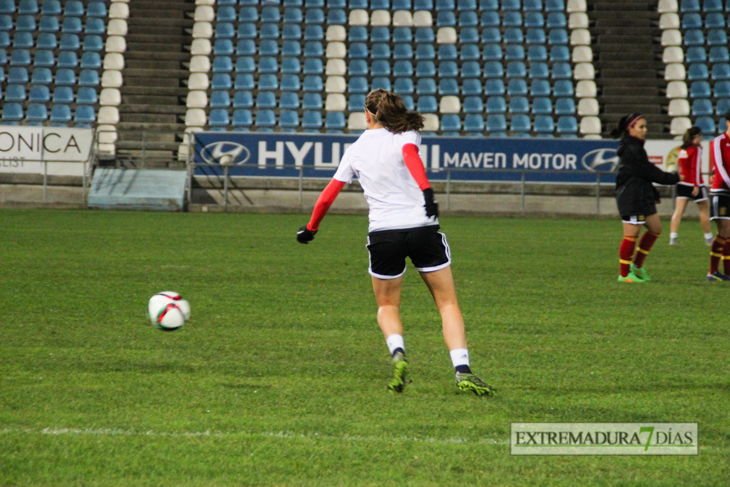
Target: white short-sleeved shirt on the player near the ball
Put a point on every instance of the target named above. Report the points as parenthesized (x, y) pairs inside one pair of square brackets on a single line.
[(395, 200)]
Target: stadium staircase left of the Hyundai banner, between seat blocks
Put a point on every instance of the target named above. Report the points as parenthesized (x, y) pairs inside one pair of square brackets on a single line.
[(153, 96)]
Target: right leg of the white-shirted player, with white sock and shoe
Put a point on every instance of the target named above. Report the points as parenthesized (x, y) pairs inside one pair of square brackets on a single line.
[(443, 290)]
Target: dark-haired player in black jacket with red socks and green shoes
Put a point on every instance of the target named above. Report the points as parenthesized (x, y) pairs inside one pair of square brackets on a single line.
[(636, 196)]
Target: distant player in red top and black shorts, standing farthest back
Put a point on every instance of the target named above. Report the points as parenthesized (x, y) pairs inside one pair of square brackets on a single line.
[(692, 186)]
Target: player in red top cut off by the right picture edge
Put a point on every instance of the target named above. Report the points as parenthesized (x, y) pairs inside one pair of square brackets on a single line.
[(720, 204)]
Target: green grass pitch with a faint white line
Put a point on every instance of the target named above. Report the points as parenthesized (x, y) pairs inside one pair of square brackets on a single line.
[(280, 376)]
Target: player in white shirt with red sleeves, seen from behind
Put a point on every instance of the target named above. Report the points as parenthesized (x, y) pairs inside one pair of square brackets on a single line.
[(403, 223)]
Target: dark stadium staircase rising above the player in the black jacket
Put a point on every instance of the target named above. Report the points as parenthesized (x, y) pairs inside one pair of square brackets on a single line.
[(629, 63)]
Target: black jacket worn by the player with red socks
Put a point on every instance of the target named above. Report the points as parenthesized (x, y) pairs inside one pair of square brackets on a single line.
[(635, 195)]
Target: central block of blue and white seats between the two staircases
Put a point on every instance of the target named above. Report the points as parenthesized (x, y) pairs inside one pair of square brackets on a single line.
[(442, 57)]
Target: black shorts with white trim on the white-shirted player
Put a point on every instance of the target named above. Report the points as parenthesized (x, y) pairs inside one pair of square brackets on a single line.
[(426, 246)]
